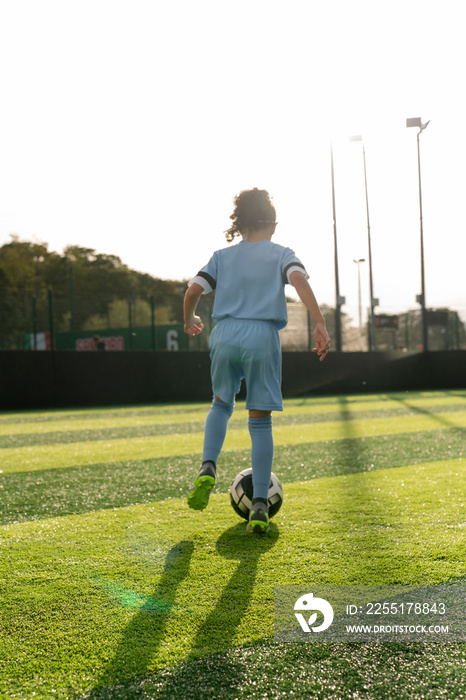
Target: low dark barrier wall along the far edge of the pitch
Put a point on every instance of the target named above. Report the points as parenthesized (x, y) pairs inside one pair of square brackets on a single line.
[(56, 379)]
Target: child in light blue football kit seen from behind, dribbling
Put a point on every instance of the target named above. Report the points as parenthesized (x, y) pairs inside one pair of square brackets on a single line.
[(249, 309)]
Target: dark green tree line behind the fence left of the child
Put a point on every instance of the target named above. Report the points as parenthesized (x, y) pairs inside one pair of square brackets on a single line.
[(89, 290)]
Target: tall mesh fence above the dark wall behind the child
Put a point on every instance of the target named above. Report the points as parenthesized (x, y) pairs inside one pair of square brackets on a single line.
[(89, 322)]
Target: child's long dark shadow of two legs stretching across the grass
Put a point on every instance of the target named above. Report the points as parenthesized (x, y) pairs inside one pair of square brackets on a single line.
[(126, 675)]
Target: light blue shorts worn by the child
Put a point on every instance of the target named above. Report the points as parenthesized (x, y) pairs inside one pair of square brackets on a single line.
[(249, 350)]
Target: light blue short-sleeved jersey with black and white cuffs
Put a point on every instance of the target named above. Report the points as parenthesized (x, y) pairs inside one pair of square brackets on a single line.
[(249, 281)]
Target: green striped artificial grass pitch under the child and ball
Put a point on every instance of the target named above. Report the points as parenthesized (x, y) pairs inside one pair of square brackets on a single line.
[(111, 587)]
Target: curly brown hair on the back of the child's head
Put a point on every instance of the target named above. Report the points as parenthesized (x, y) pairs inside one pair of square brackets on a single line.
[(253, 210)]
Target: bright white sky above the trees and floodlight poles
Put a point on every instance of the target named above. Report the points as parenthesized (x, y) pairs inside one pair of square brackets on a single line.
[(127, 126)]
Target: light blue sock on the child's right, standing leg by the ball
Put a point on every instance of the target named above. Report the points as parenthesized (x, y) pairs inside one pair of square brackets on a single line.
[(260, 430)]
